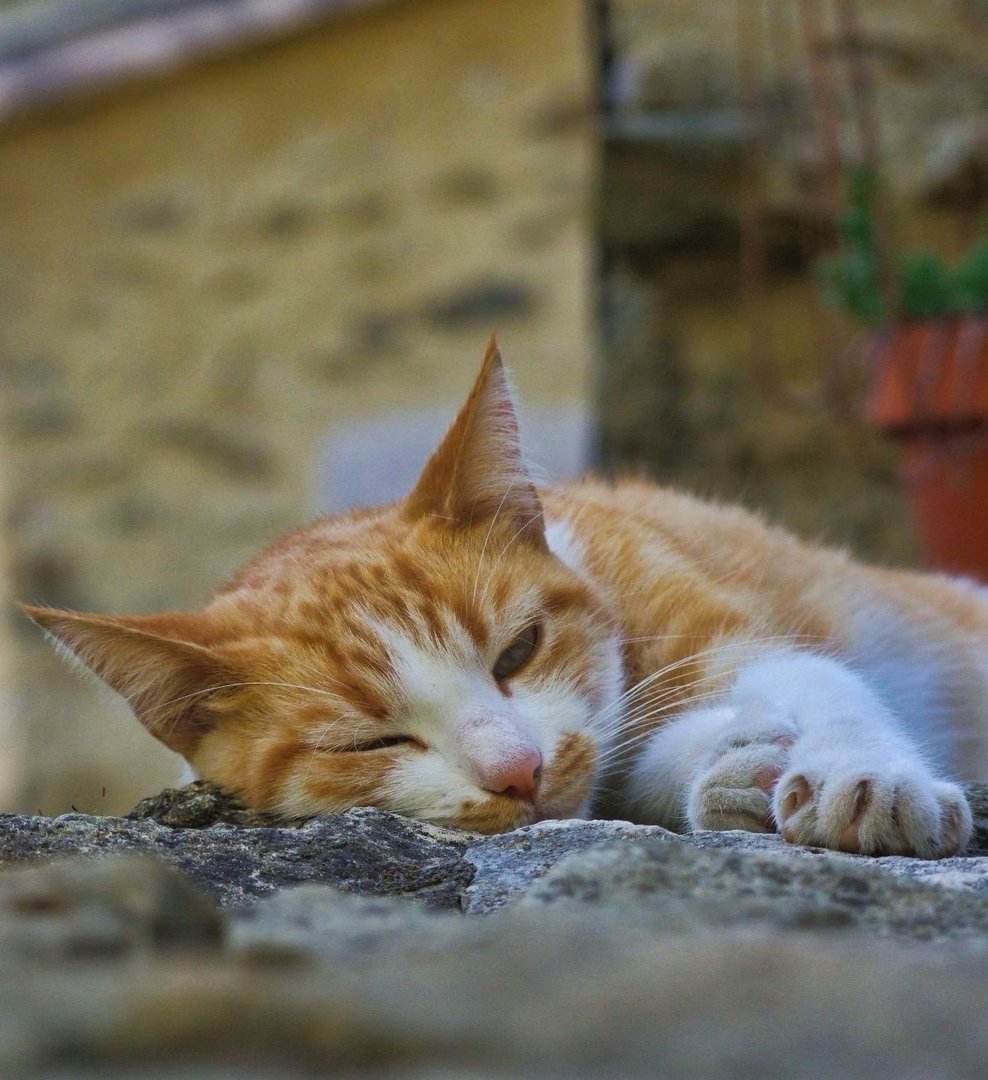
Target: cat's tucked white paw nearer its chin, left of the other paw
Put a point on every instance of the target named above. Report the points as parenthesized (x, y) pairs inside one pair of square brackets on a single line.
[(736, 792)]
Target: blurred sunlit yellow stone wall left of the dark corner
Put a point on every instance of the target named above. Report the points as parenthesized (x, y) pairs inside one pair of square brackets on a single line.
[(206, 274)]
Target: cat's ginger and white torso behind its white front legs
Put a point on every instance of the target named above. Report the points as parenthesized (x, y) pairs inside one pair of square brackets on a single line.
[(679, 569)]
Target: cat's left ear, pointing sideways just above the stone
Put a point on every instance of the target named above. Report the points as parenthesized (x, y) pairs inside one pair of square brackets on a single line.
[(159, 664)]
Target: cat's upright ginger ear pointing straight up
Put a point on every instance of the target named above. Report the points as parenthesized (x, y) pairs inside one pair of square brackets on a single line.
[(478, 474)]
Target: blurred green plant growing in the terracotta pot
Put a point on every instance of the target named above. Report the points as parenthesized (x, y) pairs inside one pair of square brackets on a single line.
[(925, 287)]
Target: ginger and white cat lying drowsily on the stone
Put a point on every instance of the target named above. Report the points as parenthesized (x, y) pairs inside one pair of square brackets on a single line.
[(484, 655)]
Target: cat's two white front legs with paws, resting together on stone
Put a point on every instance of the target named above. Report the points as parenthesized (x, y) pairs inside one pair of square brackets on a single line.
[(804, 745)]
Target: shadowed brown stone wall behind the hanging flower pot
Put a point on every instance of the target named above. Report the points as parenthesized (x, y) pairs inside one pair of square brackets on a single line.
[(680, 397)]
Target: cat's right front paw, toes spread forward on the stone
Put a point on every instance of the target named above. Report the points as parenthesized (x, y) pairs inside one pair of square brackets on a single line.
[(895, 809)]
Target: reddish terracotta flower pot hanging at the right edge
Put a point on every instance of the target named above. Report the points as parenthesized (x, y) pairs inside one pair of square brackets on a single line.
[(930, 393)]
